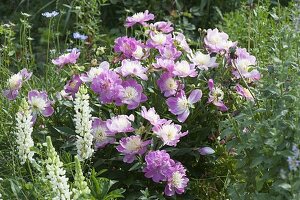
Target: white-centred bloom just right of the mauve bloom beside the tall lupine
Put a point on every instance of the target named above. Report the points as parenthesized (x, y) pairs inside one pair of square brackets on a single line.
[(120, 124)]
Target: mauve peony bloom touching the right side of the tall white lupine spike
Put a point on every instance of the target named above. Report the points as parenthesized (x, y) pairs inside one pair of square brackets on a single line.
[(101, 134)]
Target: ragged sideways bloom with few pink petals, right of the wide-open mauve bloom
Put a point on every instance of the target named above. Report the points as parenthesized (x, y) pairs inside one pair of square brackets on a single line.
[(216, 96)]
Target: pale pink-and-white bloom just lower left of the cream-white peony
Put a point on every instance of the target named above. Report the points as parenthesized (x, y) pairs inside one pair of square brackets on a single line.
[(184, 69)]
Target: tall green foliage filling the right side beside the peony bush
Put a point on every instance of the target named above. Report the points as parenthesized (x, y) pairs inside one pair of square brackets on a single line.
[(262, 135)]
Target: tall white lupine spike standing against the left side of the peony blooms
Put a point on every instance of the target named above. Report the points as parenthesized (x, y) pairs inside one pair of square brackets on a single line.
[(83, 124)]
